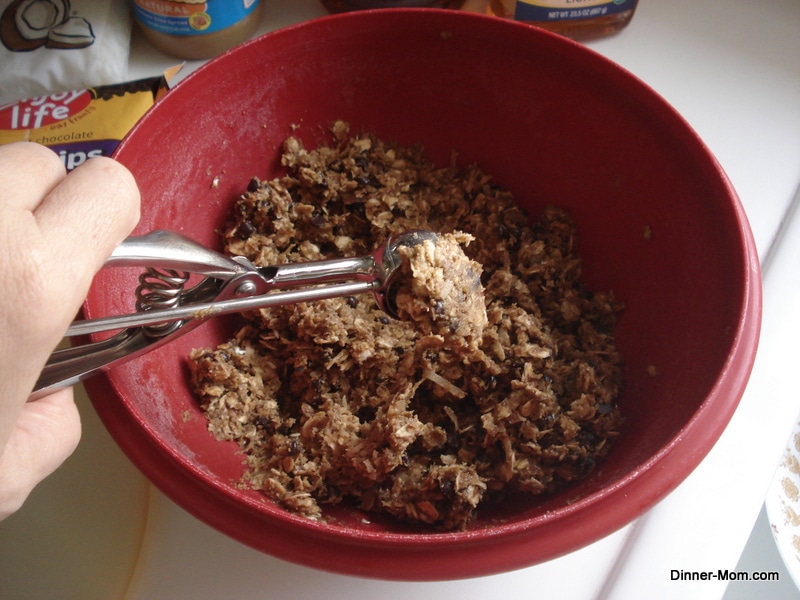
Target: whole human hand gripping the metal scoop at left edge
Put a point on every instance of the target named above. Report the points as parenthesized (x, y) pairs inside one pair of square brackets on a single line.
[(56, 231)]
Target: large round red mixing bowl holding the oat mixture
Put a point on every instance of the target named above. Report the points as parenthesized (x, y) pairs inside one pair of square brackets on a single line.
[(550, 120)]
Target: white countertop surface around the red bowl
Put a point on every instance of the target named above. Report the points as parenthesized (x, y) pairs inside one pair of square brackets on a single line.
[(97, 529)]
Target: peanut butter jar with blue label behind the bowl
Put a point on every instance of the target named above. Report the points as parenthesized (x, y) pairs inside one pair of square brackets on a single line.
[(197, 29)]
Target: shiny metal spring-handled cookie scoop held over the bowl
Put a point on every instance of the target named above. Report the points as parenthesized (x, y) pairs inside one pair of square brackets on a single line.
[(166, 309)]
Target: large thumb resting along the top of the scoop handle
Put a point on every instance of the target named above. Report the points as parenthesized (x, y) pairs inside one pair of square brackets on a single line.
[(50, 258)]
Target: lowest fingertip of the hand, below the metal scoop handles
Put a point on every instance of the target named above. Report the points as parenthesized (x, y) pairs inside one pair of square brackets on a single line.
[(47, 432)]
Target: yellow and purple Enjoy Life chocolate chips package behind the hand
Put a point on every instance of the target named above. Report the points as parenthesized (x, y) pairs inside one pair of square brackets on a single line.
[(81, 124)]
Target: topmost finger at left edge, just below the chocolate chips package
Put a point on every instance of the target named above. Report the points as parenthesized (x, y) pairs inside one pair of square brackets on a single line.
[(28, 172)]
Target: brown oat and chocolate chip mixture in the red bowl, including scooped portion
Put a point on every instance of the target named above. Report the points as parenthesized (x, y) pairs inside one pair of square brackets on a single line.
[(510, 388)]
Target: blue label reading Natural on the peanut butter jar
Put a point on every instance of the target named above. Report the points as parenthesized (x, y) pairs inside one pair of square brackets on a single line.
[(191, 17)]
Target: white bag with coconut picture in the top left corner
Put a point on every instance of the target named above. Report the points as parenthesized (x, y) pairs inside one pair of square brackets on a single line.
[(51, 46)]
